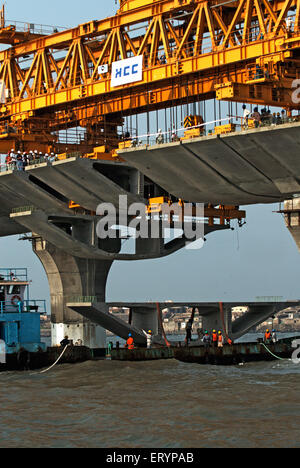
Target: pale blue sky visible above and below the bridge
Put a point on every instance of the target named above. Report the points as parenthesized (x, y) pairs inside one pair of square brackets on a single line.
[(261, 259)]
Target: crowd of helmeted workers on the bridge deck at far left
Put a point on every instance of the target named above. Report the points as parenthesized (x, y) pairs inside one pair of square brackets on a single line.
[(18, 160)]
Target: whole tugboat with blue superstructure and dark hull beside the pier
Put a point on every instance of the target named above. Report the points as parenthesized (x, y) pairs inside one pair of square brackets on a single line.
[(20, 329)]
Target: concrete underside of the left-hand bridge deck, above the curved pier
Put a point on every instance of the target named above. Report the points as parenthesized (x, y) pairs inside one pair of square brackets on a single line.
[(50, 187)]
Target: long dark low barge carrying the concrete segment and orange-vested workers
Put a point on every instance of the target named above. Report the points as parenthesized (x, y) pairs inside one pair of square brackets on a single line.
[(228, 355)]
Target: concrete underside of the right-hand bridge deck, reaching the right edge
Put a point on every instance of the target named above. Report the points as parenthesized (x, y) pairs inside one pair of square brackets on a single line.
[(254, 166)]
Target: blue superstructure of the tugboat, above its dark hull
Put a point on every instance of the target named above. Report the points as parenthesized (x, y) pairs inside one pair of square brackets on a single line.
[(19, 315)]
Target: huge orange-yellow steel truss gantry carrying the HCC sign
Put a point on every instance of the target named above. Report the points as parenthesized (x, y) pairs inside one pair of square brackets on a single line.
[(243, 51)]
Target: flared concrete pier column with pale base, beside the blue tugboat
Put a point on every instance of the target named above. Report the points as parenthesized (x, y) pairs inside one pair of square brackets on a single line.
[(69, 278)]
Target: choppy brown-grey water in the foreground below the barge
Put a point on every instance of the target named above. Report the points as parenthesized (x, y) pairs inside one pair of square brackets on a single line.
[(161, 404)]
